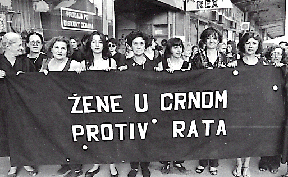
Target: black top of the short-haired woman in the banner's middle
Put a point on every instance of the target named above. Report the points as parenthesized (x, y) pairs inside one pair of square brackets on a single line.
[(147, 66)]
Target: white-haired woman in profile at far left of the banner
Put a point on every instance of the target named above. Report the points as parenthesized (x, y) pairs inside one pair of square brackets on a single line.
[(12, 63)]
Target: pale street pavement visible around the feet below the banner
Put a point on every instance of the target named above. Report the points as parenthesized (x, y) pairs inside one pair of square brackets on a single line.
[(224, 170)]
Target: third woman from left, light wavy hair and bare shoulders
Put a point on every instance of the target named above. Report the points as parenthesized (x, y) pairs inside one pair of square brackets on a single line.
[(60, 50)]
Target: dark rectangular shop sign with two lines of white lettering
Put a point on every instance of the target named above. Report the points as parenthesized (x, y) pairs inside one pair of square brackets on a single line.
[(77, 20)]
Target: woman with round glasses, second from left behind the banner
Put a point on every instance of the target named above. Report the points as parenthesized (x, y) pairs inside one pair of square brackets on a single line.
[(35, 49)]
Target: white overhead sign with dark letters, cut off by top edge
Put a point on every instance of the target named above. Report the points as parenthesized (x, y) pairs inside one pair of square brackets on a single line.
[(194, 5)]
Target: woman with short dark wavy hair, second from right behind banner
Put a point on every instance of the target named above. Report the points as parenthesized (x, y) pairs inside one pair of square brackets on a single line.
[(250, 45)]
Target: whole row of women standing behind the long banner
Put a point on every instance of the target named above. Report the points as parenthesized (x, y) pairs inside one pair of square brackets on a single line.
[(138, 52)]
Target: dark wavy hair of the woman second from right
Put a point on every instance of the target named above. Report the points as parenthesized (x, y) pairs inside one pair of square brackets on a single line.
[(248, 36)]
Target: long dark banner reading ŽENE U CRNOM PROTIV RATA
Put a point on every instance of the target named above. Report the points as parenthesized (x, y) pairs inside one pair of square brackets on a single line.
[(104, 117)]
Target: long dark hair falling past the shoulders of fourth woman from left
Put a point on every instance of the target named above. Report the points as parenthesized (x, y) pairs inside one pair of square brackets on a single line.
[(89, 52)]
